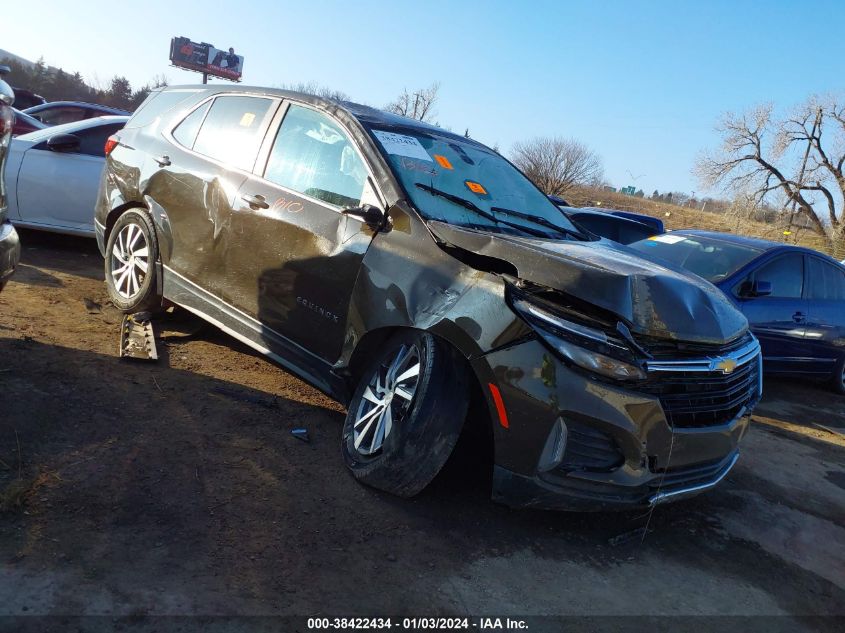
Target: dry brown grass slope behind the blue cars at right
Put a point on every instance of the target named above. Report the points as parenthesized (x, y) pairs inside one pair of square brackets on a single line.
[(675, 217)]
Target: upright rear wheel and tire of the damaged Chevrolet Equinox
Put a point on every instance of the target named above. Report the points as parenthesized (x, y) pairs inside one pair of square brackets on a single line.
[(130, 263)]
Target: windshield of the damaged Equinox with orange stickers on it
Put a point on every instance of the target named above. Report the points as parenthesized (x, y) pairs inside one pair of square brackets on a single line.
[(442, 174)]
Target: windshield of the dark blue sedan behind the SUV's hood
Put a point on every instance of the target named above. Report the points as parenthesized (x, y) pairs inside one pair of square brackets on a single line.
[(710, 258)]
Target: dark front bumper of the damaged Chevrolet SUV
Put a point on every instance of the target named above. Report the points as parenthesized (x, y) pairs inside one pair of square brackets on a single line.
[(619, 450)]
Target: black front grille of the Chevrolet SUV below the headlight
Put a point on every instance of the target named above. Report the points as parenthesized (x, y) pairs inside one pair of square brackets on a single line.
[(692, 397)]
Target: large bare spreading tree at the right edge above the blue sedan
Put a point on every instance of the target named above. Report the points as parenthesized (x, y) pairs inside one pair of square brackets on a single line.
[(799, 157)]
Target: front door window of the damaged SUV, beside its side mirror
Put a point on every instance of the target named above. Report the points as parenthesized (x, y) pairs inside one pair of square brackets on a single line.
[(314, 156)]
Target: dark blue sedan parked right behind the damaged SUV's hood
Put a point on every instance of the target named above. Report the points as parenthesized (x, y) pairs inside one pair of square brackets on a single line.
[(793, 297)]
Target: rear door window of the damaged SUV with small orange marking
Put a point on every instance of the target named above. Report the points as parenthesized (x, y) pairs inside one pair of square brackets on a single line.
[(231, 132)]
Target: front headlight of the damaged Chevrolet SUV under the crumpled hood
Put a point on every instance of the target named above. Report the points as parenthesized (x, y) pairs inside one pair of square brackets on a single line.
[(587, 347)]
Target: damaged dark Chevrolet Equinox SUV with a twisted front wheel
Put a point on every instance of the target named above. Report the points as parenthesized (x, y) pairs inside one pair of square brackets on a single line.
[(407, 271)]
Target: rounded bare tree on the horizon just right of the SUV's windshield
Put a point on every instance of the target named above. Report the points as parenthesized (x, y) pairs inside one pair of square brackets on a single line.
[(555, 164)]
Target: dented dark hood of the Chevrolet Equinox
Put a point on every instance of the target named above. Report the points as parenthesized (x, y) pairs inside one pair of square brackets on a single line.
[(655, 300)]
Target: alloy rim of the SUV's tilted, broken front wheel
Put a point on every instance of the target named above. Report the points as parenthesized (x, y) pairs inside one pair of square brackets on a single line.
[(386, 399)]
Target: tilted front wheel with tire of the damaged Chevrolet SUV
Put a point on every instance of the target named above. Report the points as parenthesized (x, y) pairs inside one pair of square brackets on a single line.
[(406, 414)]
